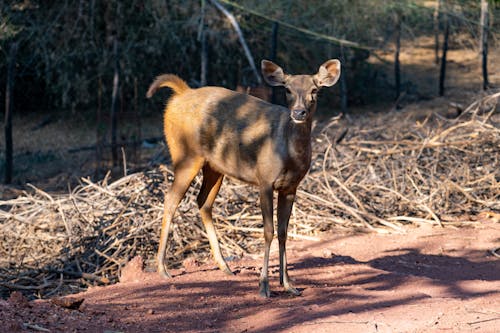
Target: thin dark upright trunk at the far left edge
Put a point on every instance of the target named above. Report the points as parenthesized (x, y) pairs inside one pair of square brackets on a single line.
[(9, 88)]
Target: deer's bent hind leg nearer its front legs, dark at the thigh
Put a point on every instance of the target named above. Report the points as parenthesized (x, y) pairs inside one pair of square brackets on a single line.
[(212, 181)]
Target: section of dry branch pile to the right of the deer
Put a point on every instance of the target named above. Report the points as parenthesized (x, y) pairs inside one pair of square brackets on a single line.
[(415, 166)]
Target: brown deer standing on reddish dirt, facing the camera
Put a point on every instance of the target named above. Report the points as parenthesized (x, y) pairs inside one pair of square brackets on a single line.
[(223, 132)]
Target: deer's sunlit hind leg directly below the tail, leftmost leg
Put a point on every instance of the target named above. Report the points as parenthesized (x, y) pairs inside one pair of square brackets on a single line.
[(184, 173)]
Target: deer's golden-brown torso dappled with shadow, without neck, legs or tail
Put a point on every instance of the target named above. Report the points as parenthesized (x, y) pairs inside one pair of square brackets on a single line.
[(238, 135)]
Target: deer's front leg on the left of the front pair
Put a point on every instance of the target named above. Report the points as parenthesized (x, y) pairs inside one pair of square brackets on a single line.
[(266, 205)]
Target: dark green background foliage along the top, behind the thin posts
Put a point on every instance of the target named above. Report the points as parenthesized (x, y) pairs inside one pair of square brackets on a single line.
[(66, 47)]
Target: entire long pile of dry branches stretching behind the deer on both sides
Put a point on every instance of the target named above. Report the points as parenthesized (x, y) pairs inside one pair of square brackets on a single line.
[(387, 170)]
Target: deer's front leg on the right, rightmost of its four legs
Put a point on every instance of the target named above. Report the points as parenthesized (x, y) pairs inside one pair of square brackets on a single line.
[(285, 203)]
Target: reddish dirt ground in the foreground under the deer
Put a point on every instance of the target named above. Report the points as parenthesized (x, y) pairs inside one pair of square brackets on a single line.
[(428, 279)]
